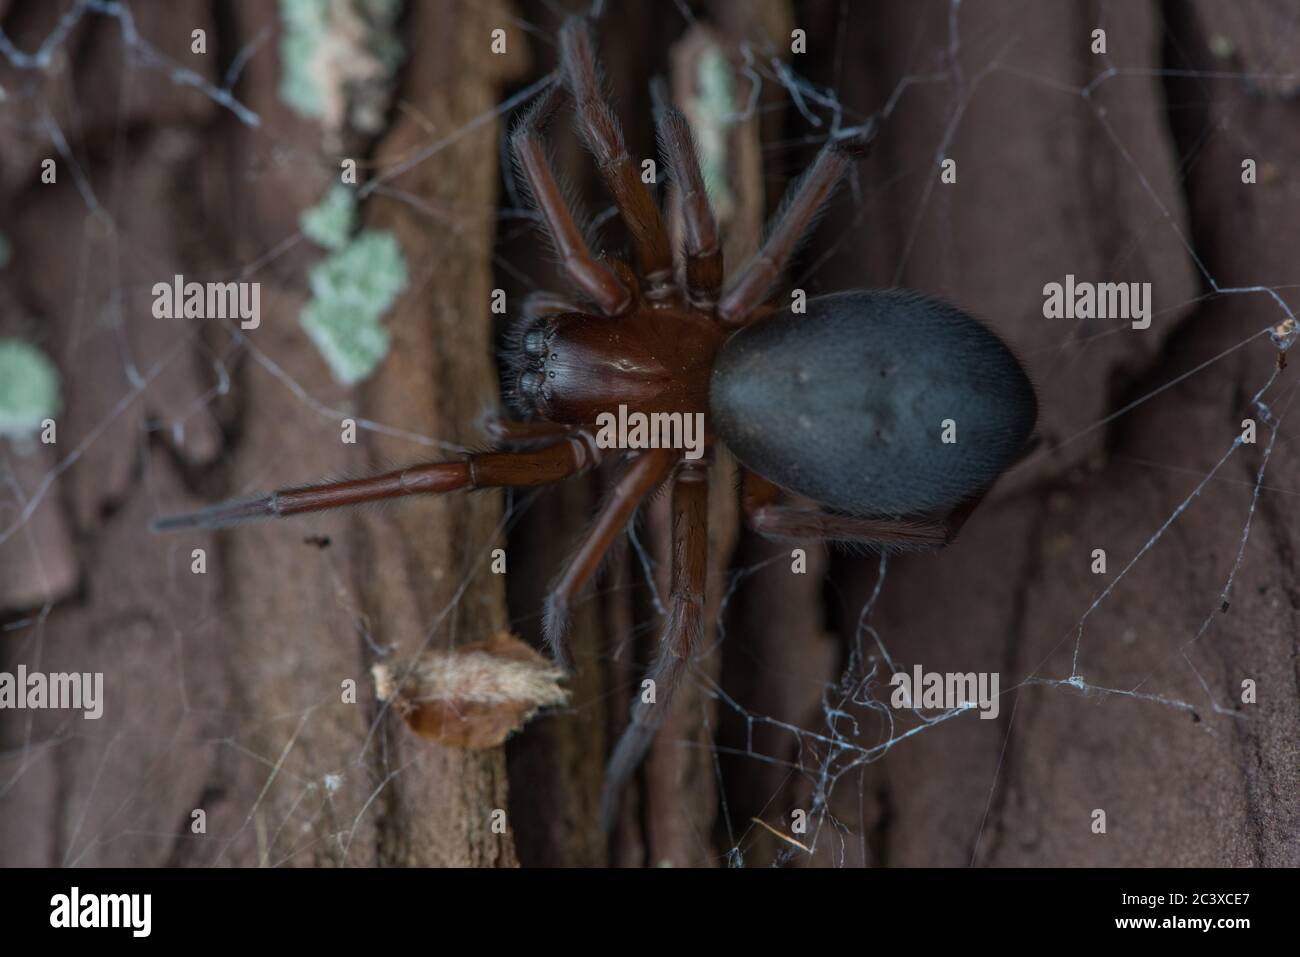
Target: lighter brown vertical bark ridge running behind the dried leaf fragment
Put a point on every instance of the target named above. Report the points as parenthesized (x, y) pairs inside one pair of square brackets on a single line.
[(432, 565)]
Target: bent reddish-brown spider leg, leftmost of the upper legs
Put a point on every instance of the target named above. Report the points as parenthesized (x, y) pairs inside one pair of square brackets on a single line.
[(592, 278)]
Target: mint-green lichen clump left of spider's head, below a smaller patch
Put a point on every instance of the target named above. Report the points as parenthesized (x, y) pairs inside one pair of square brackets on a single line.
[(352, 291)]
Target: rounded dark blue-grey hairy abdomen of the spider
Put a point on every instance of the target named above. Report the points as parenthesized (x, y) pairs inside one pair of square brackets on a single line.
[(878, 402)]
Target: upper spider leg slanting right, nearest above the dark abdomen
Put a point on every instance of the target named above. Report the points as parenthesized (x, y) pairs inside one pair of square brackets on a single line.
[(795, 218)]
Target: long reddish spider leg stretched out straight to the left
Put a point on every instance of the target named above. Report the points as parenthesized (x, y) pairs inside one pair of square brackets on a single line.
[(480, 471)]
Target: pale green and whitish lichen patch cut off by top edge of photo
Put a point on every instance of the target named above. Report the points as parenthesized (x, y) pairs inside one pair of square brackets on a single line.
[(339, 60)]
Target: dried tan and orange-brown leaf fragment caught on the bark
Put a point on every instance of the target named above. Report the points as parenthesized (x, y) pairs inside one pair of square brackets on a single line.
[(474, 696)]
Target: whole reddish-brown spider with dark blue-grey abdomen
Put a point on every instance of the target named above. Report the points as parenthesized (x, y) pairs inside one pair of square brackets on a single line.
[(891, 412)]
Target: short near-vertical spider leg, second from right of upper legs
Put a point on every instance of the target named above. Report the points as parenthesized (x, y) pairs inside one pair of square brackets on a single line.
[(700, 228)]
